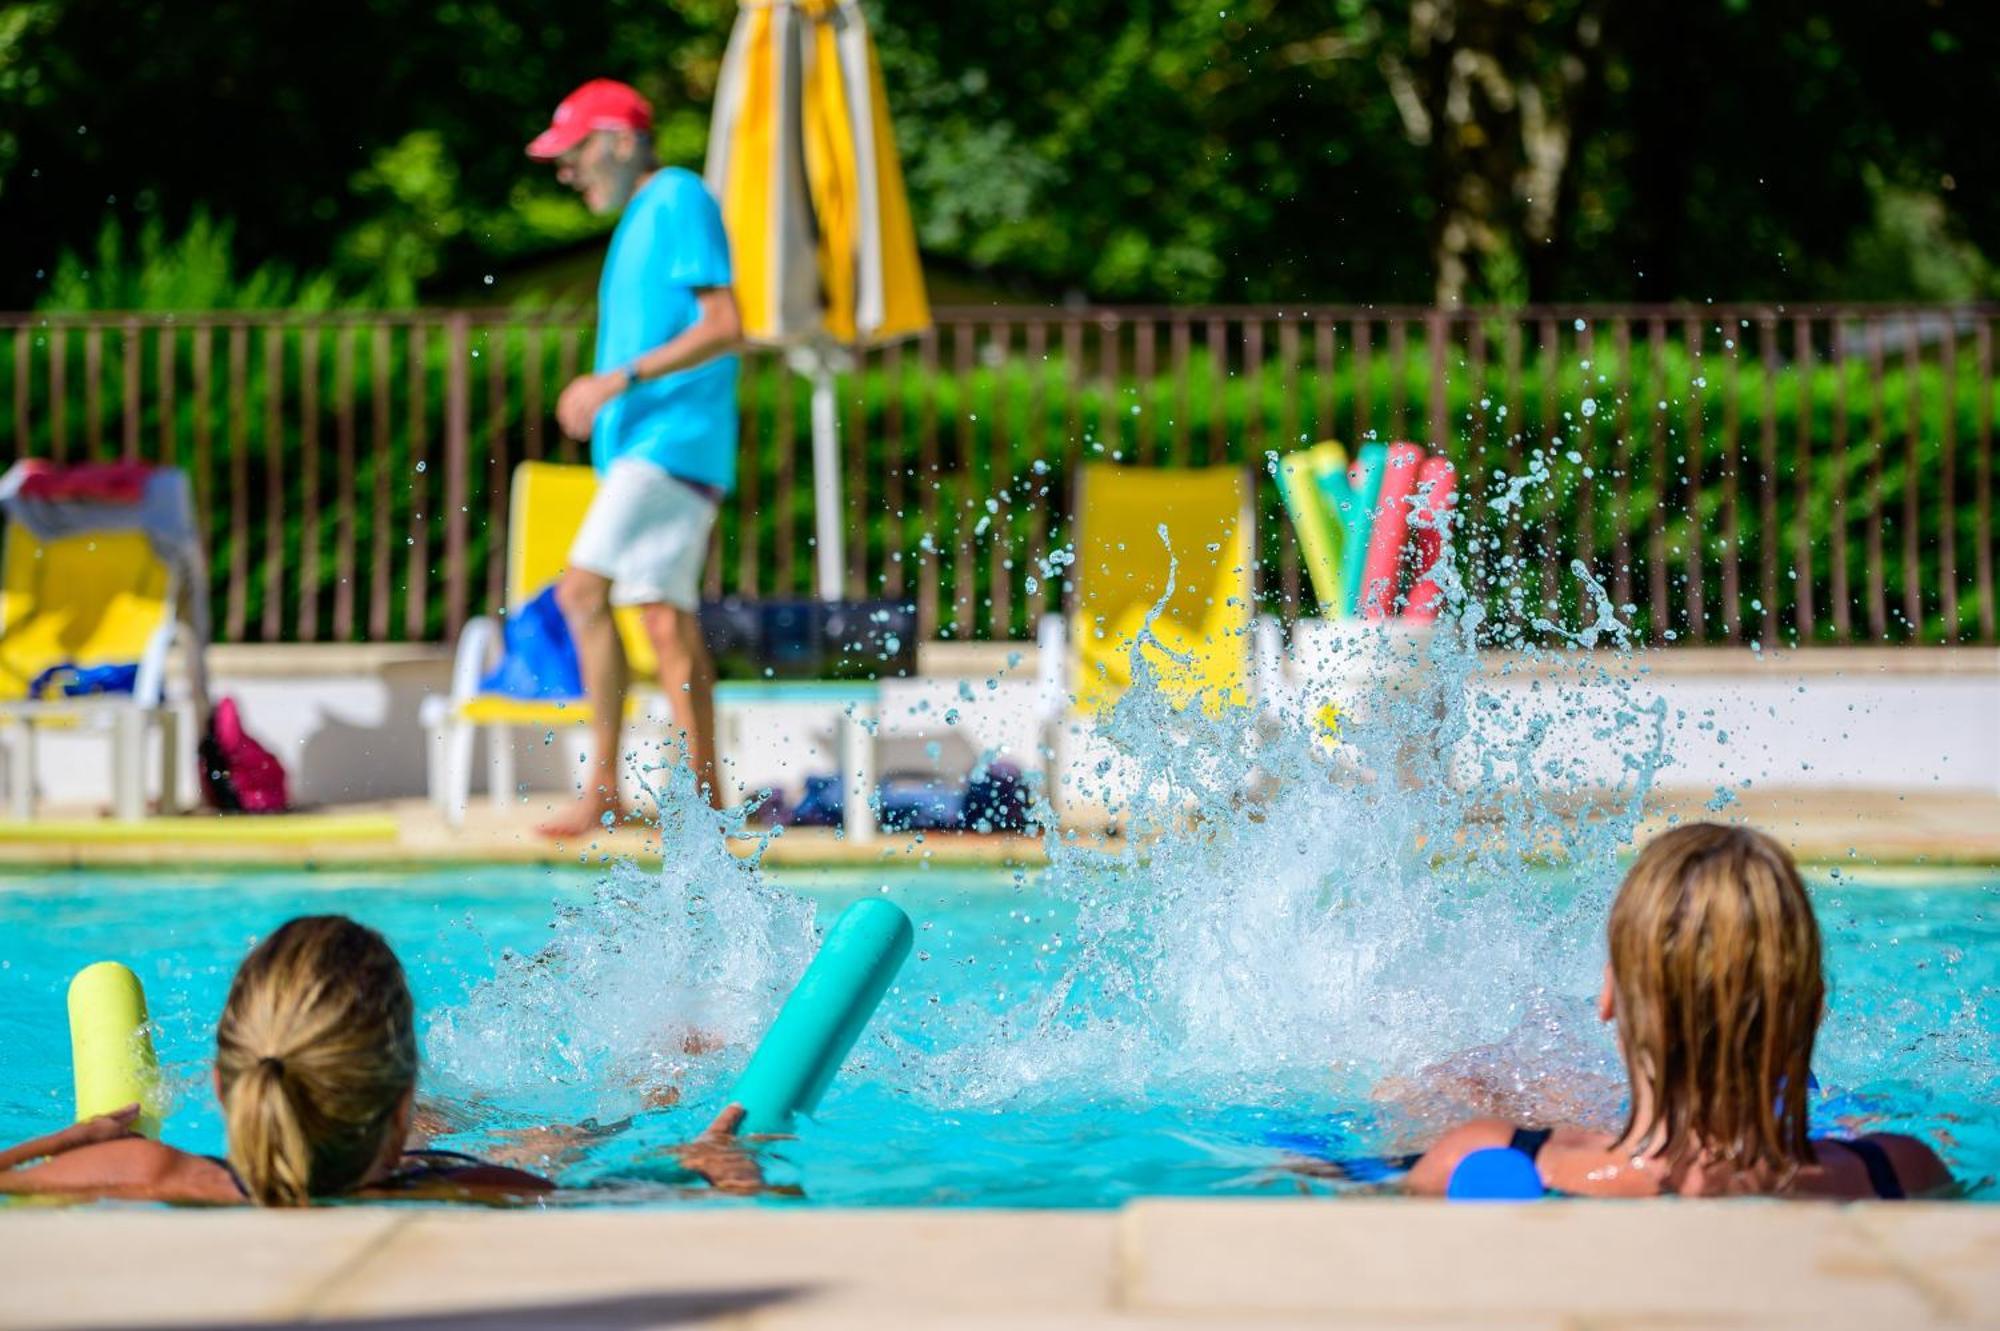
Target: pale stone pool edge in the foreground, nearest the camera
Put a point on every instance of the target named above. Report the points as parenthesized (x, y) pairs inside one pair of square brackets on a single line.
[(1155, 1264)]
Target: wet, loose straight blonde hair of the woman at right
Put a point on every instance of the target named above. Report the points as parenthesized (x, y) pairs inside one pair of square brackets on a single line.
[(1717, 976)]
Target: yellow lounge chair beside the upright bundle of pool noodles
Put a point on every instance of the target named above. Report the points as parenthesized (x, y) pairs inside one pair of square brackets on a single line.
[(1137, 533)]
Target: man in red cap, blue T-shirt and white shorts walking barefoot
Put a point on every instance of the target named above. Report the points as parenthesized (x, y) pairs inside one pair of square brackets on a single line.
[(661, 419)]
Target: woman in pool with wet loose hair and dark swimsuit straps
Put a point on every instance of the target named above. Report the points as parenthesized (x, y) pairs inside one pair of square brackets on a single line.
[(1717, 994)]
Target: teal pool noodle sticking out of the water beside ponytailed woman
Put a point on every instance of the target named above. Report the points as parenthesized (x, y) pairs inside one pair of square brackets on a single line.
[(825, 1016)]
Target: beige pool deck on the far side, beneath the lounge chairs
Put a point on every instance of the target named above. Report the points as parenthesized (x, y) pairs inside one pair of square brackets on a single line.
[(1823, 826)]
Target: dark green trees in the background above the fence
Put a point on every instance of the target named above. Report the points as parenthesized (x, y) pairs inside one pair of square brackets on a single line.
[(1263, 151)]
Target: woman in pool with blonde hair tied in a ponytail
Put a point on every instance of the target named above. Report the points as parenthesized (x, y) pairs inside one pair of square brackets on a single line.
[(317, 1074)]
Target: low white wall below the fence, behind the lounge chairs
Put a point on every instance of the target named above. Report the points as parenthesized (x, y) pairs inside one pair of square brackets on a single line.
[(345, 722)]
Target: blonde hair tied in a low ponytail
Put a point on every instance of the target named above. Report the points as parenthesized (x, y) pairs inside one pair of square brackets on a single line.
[(315, 1052)]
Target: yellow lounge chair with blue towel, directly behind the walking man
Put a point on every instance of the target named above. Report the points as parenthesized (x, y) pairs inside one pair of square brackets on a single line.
[(547, 509)]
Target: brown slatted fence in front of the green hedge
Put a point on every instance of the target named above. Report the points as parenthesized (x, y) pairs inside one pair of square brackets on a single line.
[(1725, 473)]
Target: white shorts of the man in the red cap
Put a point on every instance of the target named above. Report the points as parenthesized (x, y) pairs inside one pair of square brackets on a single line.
[(649, 535)]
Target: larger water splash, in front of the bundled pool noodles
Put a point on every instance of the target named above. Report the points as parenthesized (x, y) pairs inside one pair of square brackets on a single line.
[(1295, 914)]
